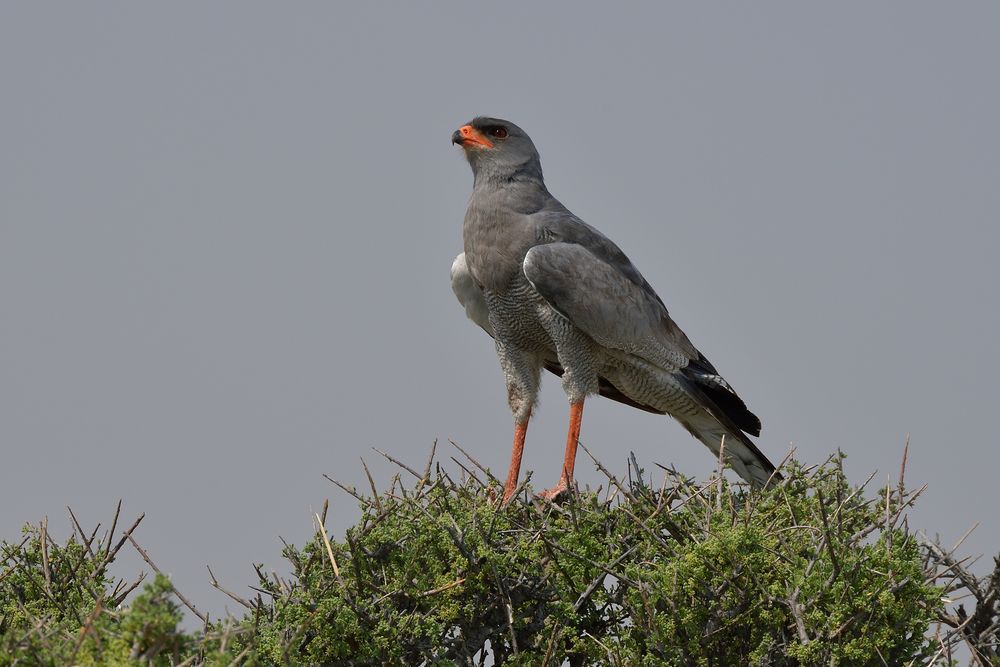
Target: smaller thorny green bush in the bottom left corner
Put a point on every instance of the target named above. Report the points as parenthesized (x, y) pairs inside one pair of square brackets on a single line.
[(59, 606)]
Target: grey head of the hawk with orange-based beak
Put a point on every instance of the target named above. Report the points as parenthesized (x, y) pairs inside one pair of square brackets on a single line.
[(497, 147)]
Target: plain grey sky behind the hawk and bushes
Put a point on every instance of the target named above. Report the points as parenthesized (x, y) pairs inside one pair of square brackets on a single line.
[(226, 229)]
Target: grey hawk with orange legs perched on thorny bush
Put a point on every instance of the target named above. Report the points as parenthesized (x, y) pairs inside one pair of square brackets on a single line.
[(557, 294)]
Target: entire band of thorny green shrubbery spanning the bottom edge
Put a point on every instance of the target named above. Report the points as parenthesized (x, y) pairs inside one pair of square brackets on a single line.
[(809, 572)]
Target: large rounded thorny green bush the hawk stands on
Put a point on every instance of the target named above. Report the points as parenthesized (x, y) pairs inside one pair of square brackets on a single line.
[(807, 573)]
